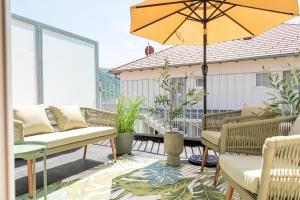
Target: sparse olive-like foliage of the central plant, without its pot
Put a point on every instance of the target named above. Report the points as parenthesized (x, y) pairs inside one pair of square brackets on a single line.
[(164, 104)]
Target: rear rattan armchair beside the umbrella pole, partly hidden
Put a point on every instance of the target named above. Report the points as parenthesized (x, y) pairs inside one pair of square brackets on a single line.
[(212, 130)]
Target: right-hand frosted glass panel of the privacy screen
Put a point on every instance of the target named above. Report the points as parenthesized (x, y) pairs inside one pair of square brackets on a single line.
[(69, 70)]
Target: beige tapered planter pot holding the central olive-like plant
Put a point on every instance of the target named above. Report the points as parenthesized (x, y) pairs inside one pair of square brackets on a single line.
[(173, 144)]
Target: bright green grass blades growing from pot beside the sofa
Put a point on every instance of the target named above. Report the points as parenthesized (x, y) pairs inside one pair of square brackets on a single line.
[(128, 111)]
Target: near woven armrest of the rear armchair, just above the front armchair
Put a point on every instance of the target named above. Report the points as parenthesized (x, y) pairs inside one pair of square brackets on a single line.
[(247, 118)]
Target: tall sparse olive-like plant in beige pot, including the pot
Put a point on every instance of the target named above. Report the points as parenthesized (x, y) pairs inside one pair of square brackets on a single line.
[(164, 105)]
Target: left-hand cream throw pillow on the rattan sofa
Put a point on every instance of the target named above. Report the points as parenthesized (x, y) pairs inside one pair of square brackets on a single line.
[(34, 118)]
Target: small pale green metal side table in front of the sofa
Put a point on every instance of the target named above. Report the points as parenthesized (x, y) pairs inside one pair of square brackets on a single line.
[(30, 150)]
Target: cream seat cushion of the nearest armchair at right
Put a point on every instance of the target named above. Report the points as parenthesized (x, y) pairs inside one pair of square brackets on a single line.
[(244, 170)]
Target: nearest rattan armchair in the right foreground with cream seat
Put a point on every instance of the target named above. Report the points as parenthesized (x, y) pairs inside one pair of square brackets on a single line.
[(260, 161)]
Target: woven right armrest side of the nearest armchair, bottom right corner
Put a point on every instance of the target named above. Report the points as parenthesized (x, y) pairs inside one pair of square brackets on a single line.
[(280, 168)]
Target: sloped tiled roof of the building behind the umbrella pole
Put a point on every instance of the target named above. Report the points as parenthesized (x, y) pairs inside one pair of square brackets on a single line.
[(282, 40)]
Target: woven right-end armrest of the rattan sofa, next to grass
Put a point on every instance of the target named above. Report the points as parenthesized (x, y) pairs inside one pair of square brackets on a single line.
[(95, 117)]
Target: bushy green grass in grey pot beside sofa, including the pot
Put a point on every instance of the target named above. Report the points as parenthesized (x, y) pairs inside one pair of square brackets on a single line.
[(127, 112)]
